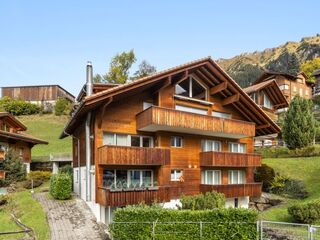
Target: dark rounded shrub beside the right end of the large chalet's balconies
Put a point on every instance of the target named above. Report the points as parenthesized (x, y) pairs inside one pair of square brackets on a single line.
[(264, 174)]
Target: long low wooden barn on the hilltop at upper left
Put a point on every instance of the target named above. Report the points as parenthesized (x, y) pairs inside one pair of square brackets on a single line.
[(40, 94)]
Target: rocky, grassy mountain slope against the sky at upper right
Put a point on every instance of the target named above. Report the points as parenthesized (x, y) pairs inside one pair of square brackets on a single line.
[(247, 67)]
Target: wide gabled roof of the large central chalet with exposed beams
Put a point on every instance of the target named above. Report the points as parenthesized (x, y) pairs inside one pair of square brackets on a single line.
[(205, 69)]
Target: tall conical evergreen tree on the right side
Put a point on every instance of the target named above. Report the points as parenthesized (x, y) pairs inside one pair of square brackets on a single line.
[(299, 125)]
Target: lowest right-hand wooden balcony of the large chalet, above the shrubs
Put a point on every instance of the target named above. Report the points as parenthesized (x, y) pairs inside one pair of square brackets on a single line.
[(234, 190)]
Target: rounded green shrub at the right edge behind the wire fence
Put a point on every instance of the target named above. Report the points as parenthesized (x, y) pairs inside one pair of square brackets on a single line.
[(305, 212)]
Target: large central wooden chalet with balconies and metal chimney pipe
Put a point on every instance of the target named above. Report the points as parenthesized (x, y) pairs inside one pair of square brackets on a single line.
[(186, 130)]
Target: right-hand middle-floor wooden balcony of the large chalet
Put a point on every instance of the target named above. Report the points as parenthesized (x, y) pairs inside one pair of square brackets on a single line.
[(229, 159)]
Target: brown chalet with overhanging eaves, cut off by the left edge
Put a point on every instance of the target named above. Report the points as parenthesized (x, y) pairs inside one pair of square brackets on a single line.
[(13, 138)]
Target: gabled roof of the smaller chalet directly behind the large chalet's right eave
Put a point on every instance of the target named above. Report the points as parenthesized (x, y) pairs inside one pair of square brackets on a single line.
[(271, 88)]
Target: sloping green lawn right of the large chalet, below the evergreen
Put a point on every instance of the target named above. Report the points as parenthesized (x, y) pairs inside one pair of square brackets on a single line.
[(305, 169)]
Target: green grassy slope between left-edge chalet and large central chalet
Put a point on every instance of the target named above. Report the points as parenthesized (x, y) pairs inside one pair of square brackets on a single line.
[(47, 127)]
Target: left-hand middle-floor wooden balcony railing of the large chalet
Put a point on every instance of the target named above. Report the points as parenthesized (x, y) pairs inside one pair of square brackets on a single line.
[(119, 155)]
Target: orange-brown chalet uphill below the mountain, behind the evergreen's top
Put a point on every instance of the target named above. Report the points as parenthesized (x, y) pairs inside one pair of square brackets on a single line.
[(289, 85)]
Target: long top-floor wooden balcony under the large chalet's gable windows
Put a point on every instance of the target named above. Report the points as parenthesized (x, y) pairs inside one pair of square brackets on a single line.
[(163, 119)]
